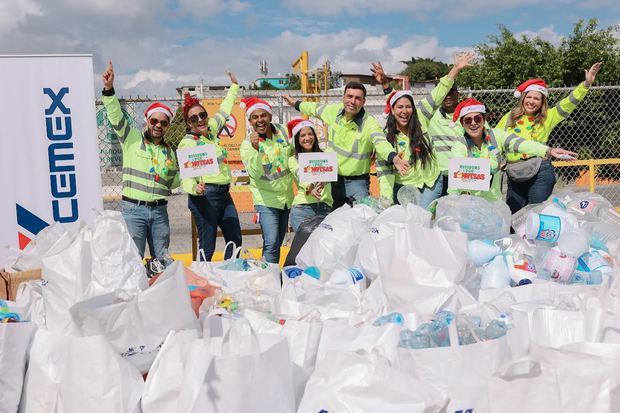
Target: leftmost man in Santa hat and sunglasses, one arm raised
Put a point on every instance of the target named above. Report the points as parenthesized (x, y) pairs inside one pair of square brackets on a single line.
[(150, 172)]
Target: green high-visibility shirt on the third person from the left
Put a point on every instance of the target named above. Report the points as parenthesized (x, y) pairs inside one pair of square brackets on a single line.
[(271, 181)]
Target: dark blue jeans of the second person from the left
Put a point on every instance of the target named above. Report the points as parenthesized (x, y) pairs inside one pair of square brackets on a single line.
[(212, 209)]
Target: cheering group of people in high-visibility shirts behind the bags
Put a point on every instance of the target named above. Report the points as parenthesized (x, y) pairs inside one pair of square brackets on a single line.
[(413, 149)]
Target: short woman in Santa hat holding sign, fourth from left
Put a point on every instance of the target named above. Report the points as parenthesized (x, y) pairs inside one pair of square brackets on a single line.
[(312, 198)]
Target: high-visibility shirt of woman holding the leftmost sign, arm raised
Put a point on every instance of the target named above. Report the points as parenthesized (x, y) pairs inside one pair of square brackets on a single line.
[(216, 123)]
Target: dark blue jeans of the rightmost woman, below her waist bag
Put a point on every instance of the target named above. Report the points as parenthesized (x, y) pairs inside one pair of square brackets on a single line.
[(532, 191)]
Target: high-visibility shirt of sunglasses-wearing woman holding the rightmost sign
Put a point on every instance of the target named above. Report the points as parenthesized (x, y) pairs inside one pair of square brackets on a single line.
[(497, 143)]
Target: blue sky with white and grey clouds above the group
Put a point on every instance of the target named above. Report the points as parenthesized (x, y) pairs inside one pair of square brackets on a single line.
[(157, 45)]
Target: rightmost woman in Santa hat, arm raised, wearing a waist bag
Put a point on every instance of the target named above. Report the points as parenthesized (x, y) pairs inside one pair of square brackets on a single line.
[(531, 179)]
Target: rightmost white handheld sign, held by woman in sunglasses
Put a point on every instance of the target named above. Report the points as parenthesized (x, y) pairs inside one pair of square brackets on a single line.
[(472, 174)]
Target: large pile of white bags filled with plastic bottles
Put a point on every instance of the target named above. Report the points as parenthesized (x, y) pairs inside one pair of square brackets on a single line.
[(416, 327)]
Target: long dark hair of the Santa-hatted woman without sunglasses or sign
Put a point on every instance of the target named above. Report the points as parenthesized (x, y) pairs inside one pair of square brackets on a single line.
[(419, 145)]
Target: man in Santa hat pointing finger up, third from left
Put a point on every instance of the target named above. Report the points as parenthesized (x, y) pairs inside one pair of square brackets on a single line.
[(265, 154)]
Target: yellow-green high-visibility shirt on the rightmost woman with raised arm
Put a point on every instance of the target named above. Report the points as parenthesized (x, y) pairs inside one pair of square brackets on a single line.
[(526, 129)]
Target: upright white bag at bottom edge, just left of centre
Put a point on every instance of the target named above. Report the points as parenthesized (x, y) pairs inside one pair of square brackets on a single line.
[(238, 373)]
